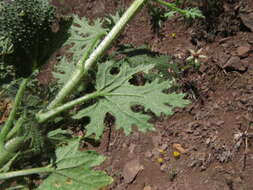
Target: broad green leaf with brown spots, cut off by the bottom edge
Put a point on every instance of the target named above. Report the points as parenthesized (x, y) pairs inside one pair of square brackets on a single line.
[(73, 170)]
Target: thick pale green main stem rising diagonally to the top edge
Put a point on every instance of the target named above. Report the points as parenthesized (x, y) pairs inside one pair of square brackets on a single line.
[(98, 52)]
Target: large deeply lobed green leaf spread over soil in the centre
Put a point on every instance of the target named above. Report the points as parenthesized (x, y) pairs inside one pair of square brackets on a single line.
[(119, 96)]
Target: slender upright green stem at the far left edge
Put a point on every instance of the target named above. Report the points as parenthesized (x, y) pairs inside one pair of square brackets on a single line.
[(7, 126)]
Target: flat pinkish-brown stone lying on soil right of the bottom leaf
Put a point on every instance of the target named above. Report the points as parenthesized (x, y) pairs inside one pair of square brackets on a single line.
[(131, 170)]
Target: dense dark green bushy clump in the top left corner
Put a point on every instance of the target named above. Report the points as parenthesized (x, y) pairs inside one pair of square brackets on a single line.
[(23, 21)]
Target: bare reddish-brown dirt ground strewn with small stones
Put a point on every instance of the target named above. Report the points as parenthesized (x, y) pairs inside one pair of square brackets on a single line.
[(213, 134)]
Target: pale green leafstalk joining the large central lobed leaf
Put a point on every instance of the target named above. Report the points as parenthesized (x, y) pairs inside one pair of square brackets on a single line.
[(42, 117)]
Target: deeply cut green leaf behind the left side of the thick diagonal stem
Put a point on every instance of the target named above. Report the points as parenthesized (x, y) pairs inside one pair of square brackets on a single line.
[(82, 35)]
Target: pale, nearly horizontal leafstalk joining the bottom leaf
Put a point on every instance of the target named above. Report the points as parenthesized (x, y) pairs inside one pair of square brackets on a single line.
[(8, 175)]
